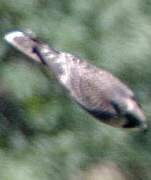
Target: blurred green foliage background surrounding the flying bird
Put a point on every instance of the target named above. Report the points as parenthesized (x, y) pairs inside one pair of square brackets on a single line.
[(43, 133)]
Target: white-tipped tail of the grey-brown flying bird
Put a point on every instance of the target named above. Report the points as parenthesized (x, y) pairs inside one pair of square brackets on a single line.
[(28, 44)]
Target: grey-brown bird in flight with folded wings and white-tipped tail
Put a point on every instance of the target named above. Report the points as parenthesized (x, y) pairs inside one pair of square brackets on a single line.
[(97, 91)]
